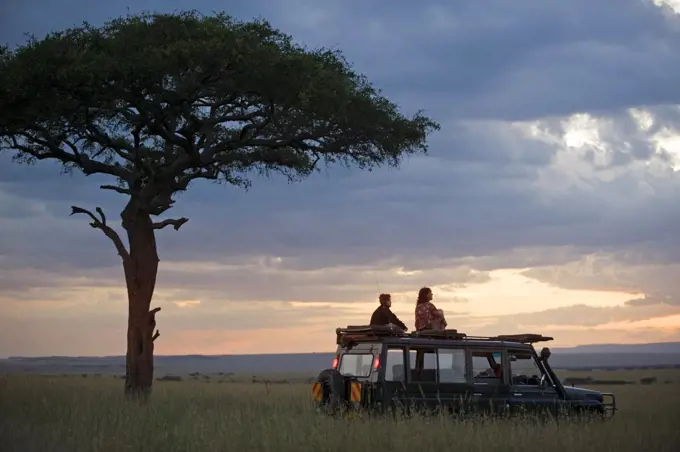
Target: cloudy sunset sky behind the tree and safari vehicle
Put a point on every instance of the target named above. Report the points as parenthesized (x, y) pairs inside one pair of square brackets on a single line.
[(549, 200)]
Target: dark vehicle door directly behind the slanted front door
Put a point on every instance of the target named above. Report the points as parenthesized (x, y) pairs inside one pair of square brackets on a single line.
[(490, 389)]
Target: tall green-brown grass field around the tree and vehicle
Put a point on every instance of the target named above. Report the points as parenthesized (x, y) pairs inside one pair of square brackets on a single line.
[(68, 414)]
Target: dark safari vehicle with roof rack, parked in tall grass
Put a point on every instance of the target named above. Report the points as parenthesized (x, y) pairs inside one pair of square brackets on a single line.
[(384, 369)]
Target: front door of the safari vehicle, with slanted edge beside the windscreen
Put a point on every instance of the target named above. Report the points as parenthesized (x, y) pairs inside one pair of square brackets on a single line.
[(529, 392)]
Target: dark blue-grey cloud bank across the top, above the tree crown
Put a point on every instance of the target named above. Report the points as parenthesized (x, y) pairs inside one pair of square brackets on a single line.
[(496, 59)]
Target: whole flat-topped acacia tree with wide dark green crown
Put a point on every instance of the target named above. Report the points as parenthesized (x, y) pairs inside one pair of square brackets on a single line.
[(156, 101)]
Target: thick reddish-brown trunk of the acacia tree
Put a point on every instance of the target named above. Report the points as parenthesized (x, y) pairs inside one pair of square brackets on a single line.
[(140, 277)]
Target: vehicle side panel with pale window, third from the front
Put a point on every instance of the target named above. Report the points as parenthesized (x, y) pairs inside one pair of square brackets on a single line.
[(454, 387)]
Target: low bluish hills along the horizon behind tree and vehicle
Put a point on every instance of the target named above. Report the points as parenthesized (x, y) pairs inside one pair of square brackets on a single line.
[(607, 356)]
